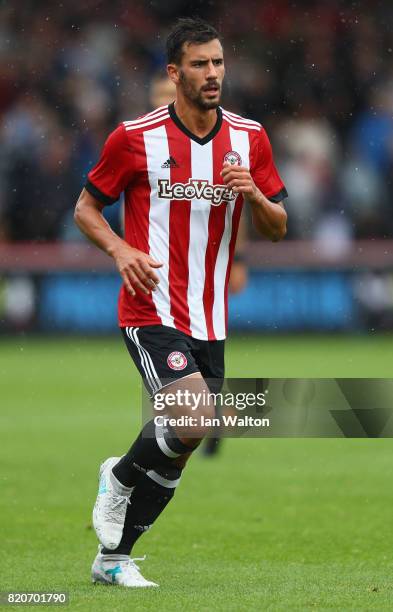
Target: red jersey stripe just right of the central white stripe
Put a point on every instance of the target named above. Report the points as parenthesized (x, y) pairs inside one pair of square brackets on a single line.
[(216, 229)]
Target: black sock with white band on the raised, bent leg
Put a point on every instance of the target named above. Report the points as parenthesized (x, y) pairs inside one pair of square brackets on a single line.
[(154, 446)]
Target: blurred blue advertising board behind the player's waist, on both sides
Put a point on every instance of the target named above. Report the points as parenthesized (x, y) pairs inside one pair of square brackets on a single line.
[(58, 292)]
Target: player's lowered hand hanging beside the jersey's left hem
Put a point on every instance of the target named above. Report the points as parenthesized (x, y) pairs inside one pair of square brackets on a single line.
[(136, 269)]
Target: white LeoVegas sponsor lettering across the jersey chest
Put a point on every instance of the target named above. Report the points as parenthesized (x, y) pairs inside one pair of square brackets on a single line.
[(195, 189)]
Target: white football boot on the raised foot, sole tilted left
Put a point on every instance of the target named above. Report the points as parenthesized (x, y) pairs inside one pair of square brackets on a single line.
[(110, 509)]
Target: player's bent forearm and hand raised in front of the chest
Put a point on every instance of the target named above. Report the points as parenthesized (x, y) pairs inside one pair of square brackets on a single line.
[(269, 218)]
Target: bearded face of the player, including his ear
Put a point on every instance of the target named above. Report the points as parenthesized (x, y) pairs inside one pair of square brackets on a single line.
[(200, 74)]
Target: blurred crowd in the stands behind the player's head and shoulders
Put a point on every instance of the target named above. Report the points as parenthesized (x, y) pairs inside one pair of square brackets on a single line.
[(318, 75)]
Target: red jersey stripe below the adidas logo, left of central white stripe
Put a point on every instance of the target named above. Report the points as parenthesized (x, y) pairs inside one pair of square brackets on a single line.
[(179, 230)]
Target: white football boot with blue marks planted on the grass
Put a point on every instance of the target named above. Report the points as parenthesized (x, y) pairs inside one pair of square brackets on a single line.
[(118, 569)]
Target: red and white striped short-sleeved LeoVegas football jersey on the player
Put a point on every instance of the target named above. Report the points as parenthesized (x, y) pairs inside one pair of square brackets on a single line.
[(178, 210)]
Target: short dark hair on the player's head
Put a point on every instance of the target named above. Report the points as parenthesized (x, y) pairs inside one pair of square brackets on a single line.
[(191, 30)]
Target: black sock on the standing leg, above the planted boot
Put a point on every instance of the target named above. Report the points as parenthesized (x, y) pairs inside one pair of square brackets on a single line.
[(149, 498)]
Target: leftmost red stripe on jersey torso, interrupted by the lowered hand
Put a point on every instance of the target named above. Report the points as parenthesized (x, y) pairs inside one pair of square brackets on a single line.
[(140, 309)]
